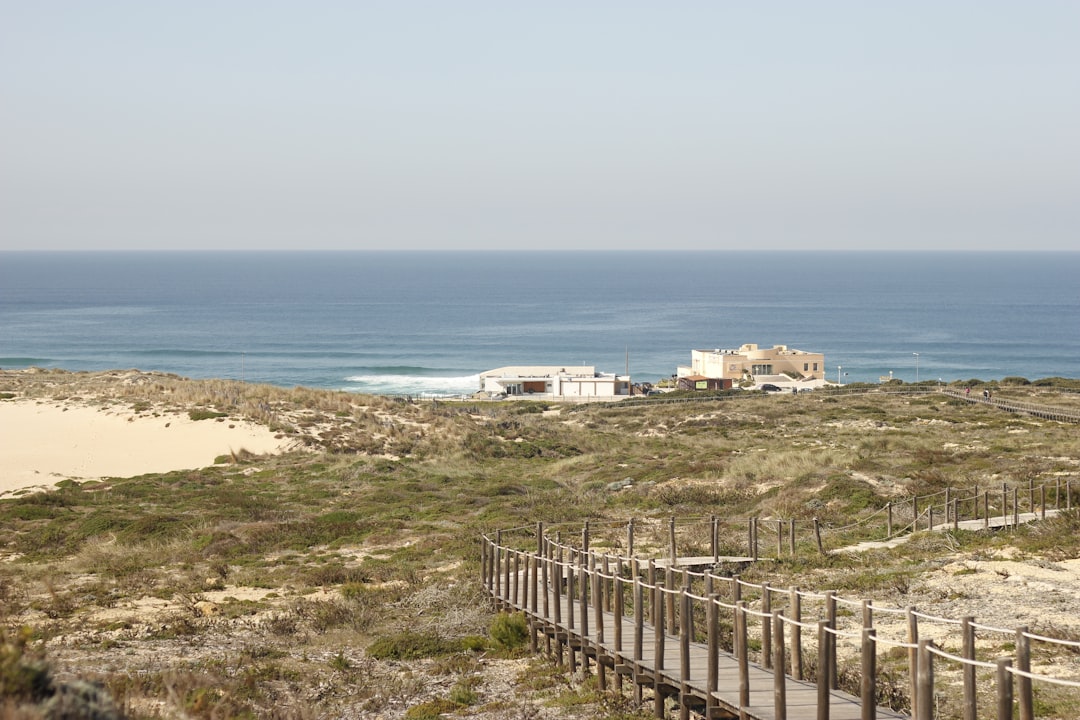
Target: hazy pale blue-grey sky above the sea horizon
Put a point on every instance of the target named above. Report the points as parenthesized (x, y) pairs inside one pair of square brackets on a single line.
[(558, 125)]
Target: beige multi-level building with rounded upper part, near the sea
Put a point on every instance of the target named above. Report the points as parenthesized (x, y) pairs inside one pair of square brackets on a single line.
[(755, 364)]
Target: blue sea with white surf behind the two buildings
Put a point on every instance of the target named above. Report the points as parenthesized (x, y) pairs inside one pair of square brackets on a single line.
[(428, 323)]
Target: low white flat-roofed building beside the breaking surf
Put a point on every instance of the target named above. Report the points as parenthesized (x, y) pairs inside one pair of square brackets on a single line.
[(555, 382)]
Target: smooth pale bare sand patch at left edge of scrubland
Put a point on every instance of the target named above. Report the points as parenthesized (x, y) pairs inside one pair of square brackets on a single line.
[(46, 442)]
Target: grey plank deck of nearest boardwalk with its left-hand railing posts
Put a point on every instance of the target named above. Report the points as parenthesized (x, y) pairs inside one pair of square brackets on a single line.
[(579, 613)]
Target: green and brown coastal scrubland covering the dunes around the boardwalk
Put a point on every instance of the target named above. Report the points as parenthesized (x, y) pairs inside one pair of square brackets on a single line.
[(343, 579)]
